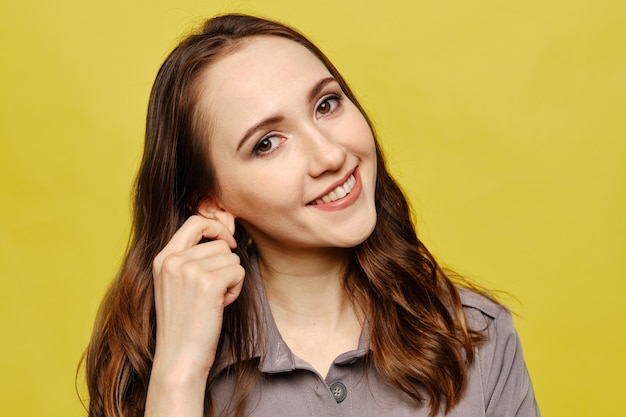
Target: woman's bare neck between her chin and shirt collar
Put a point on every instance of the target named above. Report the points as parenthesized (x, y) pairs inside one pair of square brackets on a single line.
[(313, 313)]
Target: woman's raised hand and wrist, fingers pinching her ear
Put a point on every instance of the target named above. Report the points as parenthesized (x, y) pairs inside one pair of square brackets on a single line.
[(193, 283)]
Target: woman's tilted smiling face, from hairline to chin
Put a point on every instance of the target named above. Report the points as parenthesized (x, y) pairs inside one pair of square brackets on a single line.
[(295, 160)]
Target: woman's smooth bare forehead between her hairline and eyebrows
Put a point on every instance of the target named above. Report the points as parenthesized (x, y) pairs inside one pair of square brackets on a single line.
[(265, 74)]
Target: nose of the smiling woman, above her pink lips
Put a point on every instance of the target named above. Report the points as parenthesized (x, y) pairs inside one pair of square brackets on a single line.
[(325, 153)]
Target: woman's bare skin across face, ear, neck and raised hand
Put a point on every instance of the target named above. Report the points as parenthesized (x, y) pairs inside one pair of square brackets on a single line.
[(282, 135)]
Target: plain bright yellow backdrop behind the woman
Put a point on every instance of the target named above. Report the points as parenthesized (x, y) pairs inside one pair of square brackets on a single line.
[(504, 120)]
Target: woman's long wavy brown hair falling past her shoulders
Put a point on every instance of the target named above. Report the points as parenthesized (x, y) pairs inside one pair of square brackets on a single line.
[(419, 339)]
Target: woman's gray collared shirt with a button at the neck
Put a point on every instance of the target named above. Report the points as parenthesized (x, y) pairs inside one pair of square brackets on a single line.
[(498, 385)]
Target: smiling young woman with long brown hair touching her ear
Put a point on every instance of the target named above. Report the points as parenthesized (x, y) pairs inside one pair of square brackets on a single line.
[(274, 267)]
